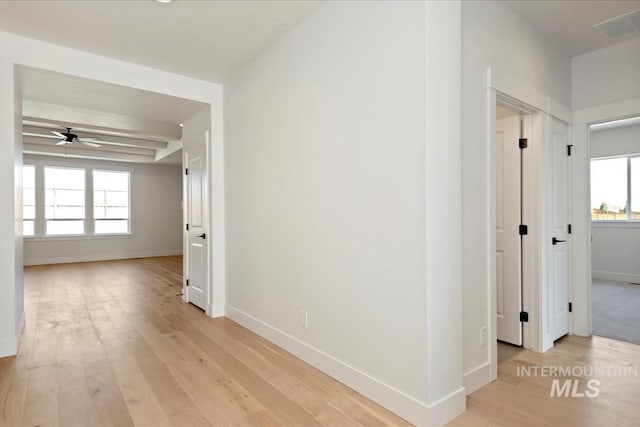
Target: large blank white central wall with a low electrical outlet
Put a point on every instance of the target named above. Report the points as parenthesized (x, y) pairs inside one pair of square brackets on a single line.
[(327, 191)]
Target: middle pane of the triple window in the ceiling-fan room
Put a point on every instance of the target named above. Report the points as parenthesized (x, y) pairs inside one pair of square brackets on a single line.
[(64, 199)]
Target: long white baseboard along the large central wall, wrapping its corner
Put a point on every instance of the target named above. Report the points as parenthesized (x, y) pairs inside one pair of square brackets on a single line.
[(396, 401)]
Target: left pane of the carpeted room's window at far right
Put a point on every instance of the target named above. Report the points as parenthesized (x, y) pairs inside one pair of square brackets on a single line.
[(609, 189)]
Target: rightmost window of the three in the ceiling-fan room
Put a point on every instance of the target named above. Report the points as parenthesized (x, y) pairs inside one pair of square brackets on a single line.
[(111, 201)]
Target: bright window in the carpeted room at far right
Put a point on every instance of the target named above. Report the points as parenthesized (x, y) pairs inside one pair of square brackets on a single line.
[(615, 189)]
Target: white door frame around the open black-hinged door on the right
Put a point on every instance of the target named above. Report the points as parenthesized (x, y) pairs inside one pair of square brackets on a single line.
[(541, 109)]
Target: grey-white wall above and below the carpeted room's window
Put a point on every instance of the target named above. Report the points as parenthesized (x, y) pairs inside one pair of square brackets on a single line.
[(615, 247)]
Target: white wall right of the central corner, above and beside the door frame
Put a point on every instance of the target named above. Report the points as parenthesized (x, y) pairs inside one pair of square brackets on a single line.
[(493, 36)]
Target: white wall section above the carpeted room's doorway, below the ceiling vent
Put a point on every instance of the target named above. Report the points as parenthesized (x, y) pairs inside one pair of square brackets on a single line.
[(606, 75)]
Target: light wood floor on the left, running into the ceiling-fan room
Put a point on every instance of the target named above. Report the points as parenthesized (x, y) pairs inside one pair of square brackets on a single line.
[(111, 343)]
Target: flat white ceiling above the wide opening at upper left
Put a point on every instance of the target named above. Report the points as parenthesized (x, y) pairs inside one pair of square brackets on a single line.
[(201, 39)]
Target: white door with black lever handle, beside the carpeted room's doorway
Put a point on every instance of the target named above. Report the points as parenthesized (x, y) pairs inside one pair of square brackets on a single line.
[(559, 221)]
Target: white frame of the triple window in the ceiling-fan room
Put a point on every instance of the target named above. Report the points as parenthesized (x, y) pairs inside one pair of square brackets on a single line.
[(89, 228)]
